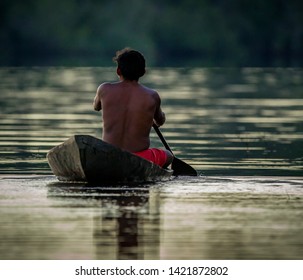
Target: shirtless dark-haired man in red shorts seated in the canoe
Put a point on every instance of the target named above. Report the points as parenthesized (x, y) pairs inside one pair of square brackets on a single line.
[(129, 109)]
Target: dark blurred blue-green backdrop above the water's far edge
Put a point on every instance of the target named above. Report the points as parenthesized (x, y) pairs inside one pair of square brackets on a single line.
[(192, 33)]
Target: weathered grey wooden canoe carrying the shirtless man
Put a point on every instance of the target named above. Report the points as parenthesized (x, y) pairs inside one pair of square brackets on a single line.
[(86, 158)]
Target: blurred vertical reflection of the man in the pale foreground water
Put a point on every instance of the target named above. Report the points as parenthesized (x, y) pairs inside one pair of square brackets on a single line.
[(129, 226)]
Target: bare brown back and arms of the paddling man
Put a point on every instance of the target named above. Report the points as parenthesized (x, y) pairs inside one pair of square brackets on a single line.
[(129, 110)]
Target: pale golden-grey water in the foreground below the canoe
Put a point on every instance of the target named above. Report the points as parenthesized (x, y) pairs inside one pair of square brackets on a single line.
[(186, 218)]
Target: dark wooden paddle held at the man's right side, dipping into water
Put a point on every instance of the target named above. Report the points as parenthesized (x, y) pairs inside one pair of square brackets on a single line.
[(180, 167)]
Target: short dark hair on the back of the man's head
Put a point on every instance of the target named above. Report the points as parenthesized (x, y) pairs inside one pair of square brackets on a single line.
[(131, 64)]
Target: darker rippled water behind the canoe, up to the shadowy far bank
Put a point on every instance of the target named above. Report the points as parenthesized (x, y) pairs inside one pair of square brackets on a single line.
[(223, 121)]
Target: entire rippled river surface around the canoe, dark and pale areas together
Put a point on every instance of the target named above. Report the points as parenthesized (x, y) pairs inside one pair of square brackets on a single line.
[(240, 128)]
